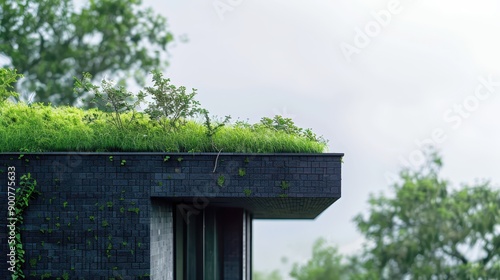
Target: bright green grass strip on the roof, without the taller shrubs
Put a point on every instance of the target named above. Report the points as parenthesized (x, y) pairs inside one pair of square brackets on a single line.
[(43, 128)]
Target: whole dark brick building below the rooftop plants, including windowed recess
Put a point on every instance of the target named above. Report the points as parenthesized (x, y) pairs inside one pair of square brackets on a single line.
[(159, 215)]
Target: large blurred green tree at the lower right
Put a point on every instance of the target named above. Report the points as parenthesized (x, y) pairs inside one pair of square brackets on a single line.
[(431, 231)]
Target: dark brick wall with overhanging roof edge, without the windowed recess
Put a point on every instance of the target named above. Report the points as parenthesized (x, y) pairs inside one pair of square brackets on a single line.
[(93, 217)]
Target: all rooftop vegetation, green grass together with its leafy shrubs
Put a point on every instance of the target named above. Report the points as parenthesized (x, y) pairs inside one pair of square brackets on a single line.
[(172, 122)]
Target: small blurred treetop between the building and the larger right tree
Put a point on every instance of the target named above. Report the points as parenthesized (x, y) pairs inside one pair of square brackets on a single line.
[(326, 264)]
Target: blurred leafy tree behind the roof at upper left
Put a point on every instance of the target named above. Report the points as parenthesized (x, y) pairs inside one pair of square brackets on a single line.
[(51, 41)]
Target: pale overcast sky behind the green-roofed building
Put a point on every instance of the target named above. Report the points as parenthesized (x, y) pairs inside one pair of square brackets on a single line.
[(373, 77)]
